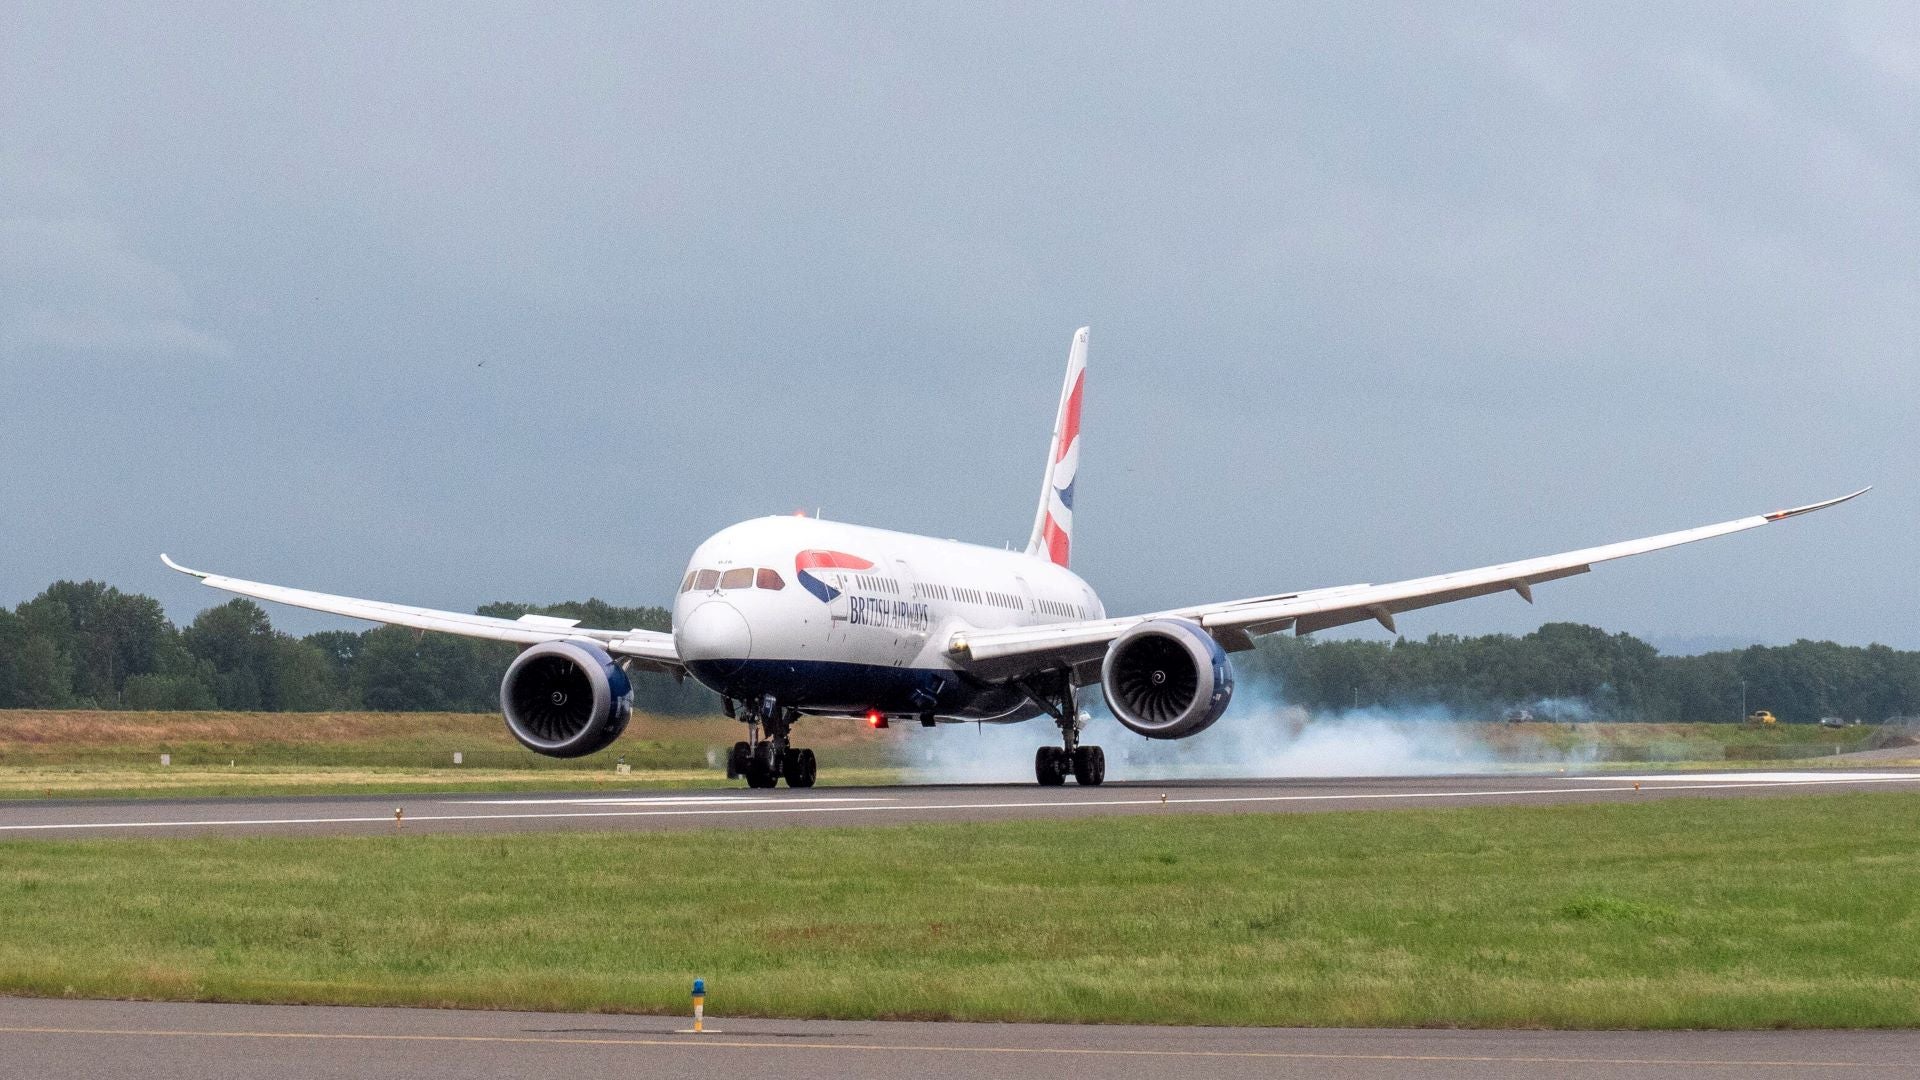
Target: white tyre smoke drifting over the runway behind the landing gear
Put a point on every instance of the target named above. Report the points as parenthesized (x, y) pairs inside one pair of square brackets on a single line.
[(1257, 739)]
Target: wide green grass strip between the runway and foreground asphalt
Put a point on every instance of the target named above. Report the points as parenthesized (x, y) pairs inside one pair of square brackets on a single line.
[(1752, 914)]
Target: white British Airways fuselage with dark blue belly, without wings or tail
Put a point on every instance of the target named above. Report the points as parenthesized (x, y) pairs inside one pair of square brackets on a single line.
[(832, 618)]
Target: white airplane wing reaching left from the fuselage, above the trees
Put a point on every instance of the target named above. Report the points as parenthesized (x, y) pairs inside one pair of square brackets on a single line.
[(648, 649)]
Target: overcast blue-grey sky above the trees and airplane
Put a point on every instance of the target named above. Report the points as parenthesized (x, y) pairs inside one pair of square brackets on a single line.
[(446, 307)]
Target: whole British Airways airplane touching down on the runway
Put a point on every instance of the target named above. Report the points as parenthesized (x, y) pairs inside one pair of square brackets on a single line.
[(790, 618)]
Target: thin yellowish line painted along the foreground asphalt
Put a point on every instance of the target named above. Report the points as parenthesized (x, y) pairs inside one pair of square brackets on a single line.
[(928, 1048)]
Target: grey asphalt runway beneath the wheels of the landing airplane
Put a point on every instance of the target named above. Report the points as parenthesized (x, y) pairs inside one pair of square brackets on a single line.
[(738, 808)]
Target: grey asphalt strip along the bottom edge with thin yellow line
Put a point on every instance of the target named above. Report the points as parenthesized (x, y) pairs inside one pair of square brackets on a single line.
[(51, 1039)]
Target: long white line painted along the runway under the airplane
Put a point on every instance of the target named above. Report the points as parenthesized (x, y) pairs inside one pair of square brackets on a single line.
[(798, 806)]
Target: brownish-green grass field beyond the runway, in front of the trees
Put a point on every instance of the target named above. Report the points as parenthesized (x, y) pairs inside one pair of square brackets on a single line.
[(107, 754)]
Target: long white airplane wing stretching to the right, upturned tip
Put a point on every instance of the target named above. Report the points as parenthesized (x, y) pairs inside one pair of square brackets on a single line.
[(1234, 624)]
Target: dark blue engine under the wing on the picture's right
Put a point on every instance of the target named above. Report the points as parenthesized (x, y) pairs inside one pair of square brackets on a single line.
[(1166, 679)]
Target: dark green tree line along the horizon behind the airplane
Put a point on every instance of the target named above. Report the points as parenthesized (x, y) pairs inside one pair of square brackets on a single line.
[(87, 645)]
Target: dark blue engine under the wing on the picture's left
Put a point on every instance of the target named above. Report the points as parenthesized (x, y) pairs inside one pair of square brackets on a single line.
[(565, 699)]
